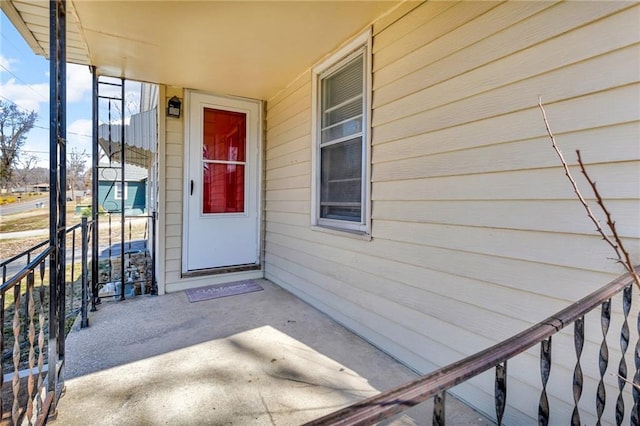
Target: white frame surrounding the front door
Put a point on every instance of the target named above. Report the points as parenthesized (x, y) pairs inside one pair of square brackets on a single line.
[(188, 145)]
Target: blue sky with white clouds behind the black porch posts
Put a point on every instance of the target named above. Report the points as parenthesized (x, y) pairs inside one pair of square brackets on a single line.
[(24, 80)]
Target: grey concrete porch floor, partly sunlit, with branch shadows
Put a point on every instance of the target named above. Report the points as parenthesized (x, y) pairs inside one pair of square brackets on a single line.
[(251, 359)]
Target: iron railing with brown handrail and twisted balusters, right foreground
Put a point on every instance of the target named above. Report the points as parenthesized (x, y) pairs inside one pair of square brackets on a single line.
[(436, 384)]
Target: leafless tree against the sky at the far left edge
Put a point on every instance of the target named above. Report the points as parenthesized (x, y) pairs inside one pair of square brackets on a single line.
[(14, 126)]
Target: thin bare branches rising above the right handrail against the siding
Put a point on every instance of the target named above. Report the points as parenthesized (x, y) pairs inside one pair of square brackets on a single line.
[(616, 243)]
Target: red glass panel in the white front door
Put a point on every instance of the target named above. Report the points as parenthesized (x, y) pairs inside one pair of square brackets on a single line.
[(223, 158)]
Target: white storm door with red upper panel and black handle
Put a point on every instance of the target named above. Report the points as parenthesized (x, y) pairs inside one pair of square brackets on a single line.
[(222, 183)]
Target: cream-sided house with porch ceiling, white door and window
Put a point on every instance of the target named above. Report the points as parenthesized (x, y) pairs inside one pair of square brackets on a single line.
[(388, 163)]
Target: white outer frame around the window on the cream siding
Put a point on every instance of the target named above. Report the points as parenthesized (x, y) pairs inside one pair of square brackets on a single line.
[(360, 44)]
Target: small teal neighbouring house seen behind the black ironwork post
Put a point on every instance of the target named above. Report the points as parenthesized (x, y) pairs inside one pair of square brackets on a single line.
[(111, 194)]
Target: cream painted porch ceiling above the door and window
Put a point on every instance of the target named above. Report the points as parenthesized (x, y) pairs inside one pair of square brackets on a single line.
[(244, 48)]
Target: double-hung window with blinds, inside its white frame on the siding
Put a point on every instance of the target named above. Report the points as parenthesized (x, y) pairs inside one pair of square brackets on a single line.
[(340, 139)]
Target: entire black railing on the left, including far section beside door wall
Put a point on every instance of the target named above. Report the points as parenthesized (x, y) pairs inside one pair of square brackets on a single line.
[(26, 313)]
